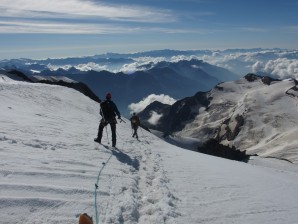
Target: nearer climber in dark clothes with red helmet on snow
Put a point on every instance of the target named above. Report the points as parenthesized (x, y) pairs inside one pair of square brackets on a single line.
[(108, 111)]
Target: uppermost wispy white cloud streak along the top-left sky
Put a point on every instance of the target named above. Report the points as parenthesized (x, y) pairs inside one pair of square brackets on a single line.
[(73, 8)]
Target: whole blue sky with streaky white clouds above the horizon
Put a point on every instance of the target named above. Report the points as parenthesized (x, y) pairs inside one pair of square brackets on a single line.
[(61, 28)]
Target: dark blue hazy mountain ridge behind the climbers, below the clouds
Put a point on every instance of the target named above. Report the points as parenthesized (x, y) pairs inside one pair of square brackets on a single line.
[(175, 79)]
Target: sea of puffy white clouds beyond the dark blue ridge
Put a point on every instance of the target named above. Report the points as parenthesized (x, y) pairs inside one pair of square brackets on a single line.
[(274, 62)]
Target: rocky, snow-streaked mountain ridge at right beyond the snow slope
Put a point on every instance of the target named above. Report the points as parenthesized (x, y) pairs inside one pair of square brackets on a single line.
[(256, 114)]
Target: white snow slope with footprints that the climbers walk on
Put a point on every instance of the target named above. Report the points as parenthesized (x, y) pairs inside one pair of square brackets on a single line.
[(50, 165)]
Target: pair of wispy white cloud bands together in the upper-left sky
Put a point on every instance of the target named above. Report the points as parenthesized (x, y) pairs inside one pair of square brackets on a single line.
[(75, 17)]
